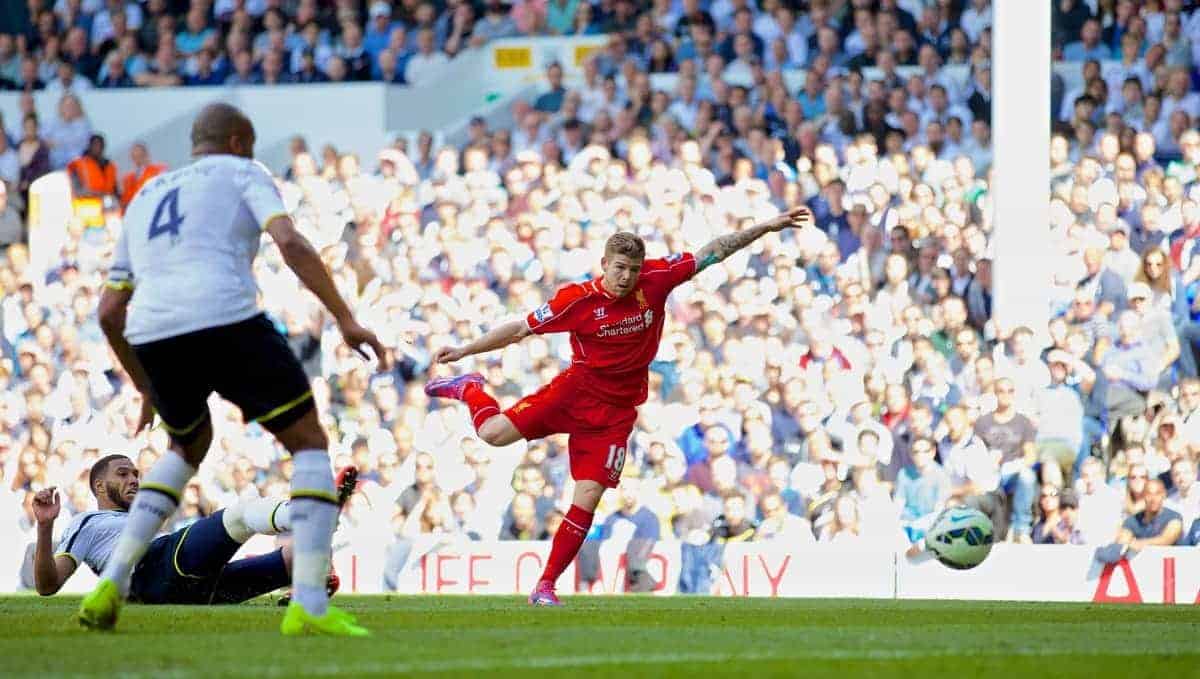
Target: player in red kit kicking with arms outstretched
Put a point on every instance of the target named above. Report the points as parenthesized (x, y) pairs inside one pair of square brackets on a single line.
[(616, 323)]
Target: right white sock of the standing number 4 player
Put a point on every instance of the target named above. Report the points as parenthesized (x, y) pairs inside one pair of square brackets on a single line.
[(314, 519)]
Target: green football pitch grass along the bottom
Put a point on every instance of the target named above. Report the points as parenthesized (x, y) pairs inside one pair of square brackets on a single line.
[(613, 636)]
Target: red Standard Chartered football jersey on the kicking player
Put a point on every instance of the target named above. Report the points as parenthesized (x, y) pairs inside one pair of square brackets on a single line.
[(615, 340)]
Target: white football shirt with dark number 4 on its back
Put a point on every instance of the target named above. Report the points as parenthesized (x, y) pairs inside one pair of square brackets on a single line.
[(189, 245)]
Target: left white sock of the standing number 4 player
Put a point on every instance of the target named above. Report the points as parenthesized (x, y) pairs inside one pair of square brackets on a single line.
[(157, 501)]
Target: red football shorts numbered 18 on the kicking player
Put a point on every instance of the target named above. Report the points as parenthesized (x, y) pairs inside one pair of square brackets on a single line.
[(599, 431)]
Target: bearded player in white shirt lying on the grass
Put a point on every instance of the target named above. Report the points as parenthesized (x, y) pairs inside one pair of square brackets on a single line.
[(191, 566)]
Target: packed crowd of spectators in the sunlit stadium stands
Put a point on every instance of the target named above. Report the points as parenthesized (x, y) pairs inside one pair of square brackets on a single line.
[(835, 384)]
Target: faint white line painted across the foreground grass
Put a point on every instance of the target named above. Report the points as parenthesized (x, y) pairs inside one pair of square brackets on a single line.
[(577, 662)]
